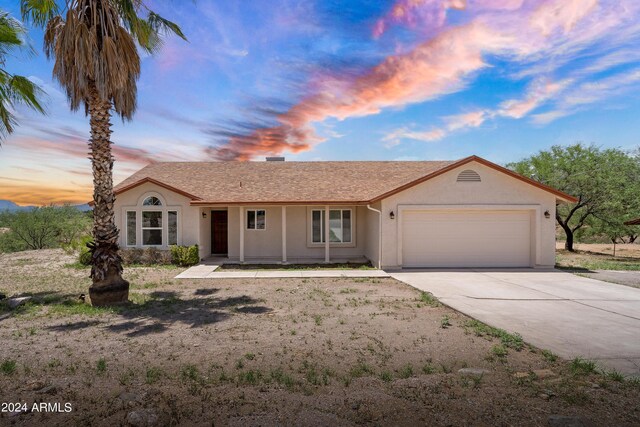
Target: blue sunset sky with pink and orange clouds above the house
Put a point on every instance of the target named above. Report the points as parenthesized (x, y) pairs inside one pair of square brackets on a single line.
[(348, 80)]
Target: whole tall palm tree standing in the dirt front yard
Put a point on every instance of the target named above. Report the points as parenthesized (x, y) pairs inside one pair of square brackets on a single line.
[(96, 61)]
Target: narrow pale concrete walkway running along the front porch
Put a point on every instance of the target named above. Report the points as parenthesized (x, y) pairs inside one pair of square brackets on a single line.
[(209, 272)]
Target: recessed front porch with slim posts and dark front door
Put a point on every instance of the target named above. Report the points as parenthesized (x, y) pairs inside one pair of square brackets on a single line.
[(286, 235)]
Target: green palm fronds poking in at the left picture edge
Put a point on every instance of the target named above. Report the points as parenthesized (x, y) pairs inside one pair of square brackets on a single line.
[(13, 89)]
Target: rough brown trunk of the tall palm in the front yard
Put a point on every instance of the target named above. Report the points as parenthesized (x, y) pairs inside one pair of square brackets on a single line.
[(108, 286)]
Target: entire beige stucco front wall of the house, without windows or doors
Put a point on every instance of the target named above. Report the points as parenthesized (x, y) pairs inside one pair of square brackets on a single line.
[(495, 188)]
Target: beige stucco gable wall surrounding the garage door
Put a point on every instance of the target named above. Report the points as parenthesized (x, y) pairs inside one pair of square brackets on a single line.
[(495, 188)]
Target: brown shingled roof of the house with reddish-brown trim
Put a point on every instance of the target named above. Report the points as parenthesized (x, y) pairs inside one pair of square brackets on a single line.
[(345, 182)]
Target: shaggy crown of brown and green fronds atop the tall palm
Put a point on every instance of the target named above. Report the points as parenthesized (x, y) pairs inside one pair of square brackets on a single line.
[(93, 44)]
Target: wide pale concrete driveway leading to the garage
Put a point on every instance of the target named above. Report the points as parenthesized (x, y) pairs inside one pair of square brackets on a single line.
[(567, 314)]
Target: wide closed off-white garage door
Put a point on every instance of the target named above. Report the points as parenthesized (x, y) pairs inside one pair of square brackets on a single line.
[(466, 238)]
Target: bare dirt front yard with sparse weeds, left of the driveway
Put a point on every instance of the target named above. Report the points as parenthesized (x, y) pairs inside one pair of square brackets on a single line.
[(275, 351)]
